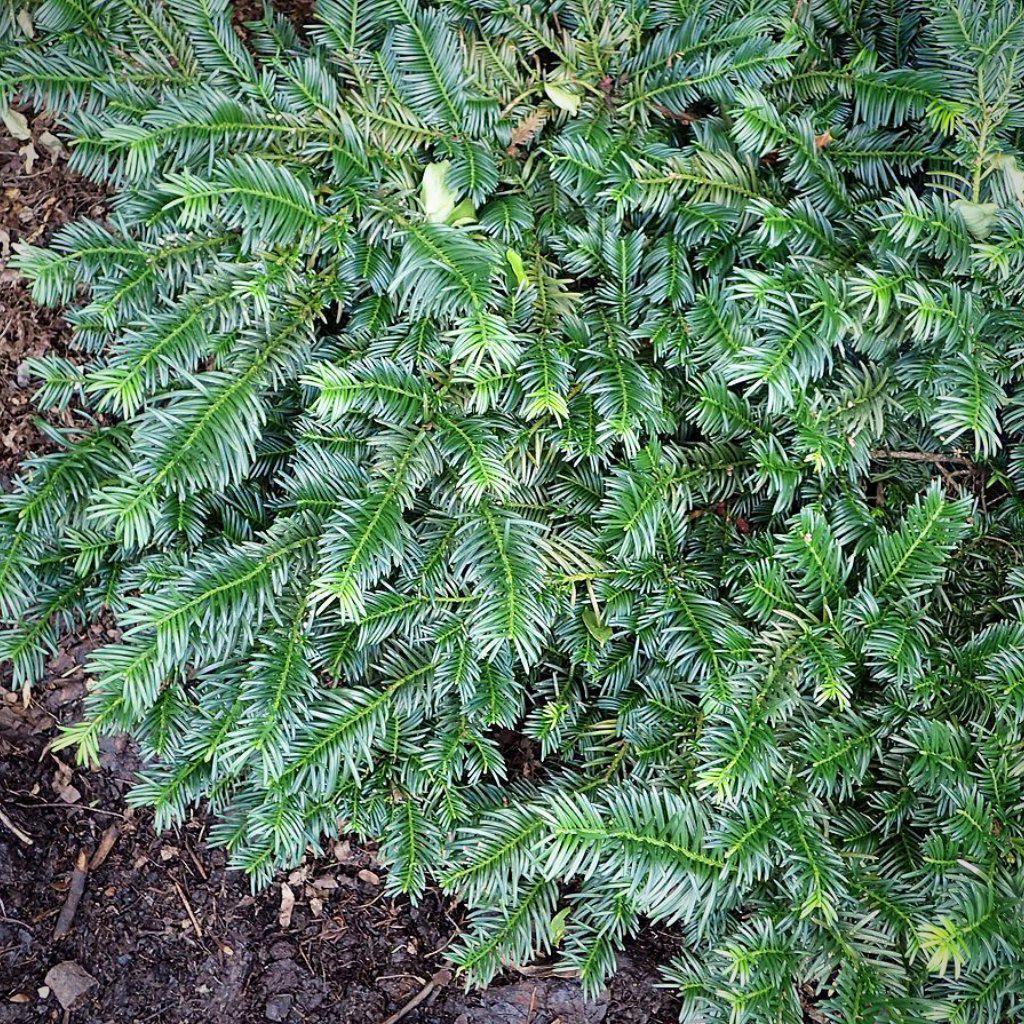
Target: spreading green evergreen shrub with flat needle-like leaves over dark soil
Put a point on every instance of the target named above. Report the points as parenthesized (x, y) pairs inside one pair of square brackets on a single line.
[(642, 377)]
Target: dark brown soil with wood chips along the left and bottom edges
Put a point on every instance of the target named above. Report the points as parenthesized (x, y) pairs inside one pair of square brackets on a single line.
[(164, 932)]
